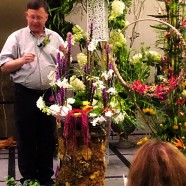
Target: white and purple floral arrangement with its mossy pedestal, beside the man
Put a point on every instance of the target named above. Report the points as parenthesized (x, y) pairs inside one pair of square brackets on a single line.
[(84, 104)]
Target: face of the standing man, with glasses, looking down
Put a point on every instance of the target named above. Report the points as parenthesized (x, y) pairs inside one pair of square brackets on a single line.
[(36, 20)]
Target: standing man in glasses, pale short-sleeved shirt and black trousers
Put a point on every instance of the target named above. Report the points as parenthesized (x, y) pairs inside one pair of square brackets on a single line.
[(29, 55)]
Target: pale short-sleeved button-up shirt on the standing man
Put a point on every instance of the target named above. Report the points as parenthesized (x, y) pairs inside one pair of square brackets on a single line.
[(32, 75)]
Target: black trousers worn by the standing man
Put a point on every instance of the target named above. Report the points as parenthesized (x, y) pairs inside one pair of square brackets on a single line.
[(35, 136)]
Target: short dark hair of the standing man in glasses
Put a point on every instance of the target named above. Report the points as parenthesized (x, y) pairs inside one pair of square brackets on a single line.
[(36, 4)]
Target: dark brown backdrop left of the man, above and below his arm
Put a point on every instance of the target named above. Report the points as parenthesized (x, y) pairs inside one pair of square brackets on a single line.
[(11, 19)]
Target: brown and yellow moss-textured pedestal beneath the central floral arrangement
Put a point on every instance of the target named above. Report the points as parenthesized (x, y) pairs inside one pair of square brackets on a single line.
[(82, 164)]
